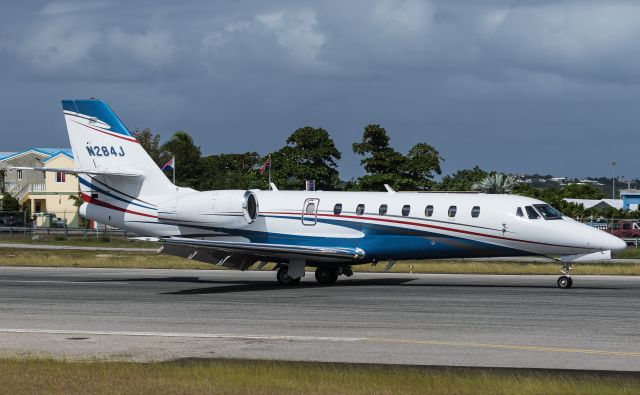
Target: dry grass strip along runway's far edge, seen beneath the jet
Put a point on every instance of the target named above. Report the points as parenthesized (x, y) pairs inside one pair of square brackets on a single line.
[(152, 260)]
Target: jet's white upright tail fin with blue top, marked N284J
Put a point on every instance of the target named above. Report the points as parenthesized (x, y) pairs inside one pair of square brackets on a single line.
[(101, 142)]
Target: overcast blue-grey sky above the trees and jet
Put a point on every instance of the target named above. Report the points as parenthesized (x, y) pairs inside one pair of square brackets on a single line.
[(517, 86)]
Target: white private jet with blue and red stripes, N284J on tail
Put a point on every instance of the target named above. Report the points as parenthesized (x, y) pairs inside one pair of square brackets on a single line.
[(331, 231)]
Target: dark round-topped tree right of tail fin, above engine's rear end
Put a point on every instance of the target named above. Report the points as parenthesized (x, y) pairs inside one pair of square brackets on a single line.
[(188, 165)]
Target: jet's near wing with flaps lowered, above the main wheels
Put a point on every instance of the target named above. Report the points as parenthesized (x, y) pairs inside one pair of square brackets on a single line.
[(241, 255)]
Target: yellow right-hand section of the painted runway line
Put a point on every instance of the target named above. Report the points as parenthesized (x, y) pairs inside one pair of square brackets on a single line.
[(503, 347)]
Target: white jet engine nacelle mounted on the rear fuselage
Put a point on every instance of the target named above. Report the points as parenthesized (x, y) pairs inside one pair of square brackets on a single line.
[(224, 209)]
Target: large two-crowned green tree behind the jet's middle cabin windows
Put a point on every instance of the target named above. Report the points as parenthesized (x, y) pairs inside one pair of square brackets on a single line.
[(384, 165)]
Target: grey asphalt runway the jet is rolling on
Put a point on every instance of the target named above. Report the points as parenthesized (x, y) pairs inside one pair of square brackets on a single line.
[(462, 320)]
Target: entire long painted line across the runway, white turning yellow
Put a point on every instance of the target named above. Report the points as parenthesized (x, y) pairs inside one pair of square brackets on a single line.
[(416, 342)]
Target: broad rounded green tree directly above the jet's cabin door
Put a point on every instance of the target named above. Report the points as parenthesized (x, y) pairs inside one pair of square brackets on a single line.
[(310, 154)]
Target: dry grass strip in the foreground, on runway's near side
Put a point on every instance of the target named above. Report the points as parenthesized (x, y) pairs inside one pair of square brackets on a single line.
[(29, 376)]
